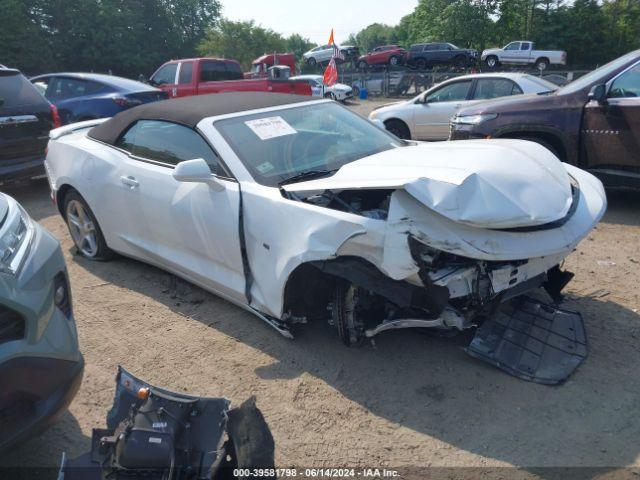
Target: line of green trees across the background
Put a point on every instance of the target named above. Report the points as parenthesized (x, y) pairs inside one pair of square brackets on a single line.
[(133, 37)]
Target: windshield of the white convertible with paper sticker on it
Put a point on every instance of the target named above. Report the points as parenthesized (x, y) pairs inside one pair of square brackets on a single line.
[(278, 145)]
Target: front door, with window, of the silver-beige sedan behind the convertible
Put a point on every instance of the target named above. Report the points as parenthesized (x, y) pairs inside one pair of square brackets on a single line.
[(433, 115)]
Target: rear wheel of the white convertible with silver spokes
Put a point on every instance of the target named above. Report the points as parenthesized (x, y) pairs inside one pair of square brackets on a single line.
[(99, 251)]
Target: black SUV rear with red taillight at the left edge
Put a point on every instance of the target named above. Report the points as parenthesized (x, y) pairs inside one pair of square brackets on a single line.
[(25, 120)]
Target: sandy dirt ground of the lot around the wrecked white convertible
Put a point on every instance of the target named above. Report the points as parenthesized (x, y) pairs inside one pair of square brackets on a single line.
[(410, 400)]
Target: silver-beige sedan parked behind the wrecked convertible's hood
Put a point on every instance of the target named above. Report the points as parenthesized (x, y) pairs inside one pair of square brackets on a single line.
[(427, 116)]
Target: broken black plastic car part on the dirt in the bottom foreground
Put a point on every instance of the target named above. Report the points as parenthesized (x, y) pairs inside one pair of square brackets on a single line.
[(153, 433)]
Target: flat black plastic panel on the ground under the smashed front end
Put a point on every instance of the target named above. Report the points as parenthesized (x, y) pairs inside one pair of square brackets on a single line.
[(532, 341)]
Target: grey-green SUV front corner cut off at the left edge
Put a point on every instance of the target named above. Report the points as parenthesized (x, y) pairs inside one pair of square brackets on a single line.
[(40, 364)]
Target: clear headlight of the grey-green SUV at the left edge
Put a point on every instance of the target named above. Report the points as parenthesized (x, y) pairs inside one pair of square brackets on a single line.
[(15, 240)]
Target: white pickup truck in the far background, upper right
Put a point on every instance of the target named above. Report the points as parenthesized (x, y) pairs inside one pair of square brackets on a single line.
[(523, 53)]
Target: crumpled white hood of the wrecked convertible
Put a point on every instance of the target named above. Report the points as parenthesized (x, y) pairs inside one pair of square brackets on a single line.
[(481, 183)]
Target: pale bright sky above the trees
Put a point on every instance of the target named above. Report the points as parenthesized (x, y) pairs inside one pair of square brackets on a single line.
[(314, 19)]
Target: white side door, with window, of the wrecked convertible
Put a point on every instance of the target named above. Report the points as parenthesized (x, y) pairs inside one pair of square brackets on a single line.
[(188, 228)]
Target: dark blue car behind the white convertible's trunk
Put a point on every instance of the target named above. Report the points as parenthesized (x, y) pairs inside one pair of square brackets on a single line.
[(87, 96)]
